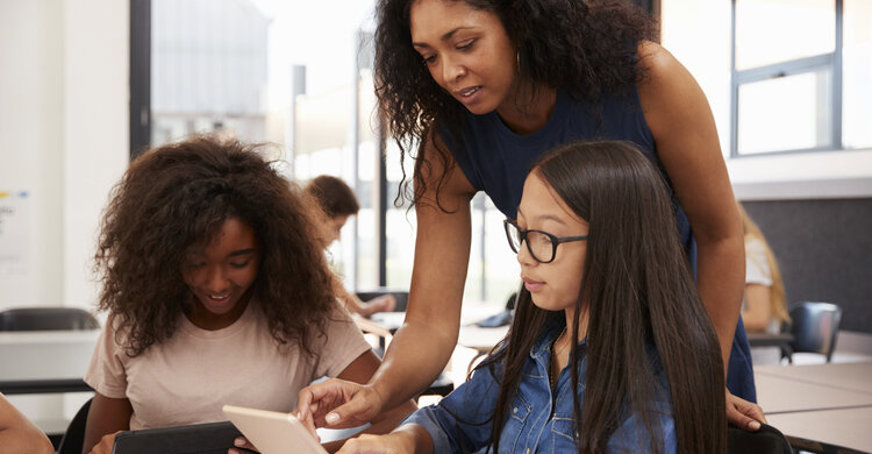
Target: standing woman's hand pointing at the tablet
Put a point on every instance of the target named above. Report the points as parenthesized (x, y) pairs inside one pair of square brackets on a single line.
[(338, 404)]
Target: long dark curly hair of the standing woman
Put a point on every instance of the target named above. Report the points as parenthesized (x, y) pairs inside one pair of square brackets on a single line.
[(584, 47)]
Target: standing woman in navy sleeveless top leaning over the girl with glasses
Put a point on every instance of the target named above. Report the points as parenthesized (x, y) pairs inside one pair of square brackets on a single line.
[(474, 91)]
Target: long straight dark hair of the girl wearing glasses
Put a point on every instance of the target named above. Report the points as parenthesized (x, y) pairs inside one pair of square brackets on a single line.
[(637, 290)]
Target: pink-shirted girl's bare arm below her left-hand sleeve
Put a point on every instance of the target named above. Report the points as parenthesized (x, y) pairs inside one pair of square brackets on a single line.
[(106, 417)]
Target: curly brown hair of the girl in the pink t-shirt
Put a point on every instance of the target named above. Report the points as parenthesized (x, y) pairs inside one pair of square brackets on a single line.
[(179, 195)]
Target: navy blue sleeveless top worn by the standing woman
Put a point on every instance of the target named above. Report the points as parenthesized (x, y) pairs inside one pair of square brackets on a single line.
[(496, 160)]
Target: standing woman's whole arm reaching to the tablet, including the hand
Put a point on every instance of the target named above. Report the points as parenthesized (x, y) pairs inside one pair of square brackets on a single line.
[(422, 346)]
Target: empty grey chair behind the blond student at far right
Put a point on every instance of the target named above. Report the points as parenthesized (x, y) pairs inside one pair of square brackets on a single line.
[(815, 326)]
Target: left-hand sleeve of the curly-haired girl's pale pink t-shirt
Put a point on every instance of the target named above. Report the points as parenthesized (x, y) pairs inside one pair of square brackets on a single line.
[(107, 373)]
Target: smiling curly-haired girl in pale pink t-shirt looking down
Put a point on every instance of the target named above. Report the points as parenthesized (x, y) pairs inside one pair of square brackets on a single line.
[(217, 293)]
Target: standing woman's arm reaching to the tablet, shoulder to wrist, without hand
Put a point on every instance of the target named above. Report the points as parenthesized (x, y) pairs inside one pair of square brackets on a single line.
[(422, 347)]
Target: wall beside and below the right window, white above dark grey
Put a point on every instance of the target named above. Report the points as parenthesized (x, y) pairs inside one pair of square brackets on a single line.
[(815, 208)]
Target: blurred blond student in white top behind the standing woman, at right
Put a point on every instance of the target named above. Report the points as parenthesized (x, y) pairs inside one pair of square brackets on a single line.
[(764, 309)]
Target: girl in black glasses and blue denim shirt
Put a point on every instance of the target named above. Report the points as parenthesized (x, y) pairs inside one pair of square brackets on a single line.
[(611, 349)]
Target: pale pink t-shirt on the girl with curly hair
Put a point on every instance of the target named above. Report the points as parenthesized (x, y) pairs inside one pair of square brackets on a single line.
[(189, 377)]
